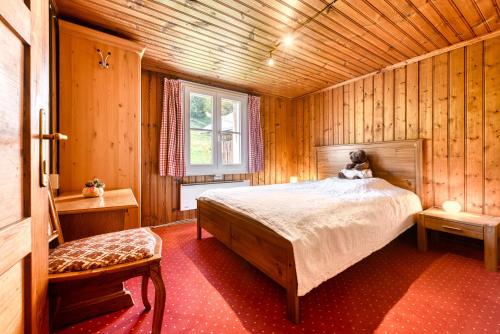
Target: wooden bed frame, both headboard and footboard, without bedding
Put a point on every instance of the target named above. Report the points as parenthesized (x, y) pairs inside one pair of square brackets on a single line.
[(399, 162)]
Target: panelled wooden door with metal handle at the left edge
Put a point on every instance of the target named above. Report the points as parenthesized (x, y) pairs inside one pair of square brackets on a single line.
[(23, 204)]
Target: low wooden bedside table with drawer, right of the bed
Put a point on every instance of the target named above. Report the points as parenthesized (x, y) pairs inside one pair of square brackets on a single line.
[(466, 224)]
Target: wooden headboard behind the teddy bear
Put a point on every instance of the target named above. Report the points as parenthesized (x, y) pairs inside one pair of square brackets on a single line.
[(399, 162)]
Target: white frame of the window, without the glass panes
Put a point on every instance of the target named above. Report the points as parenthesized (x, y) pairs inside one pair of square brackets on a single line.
[(217, 168)]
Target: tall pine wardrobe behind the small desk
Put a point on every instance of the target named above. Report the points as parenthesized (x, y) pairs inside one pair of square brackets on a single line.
[(100, 111)]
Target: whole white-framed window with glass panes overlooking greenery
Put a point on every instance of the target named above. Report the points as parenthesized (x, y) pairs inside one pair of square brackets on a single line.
[(215, 124)]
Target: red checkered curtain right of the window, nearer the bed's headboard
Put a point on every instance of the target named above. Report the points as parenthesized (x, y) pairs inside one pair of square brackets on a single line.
[(255, 140)]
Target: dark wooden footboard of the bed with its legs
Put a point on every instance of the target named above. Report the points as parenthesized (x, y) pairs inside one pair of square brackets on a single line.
[(259, 245)]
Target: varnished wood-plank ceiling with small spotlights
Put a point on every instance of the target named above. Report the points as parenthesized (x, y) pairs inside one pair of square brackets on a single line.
[(229, 41)]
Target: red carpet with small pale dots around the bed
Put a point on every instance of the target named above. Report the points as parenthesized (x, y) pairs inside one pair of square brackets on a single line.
[(396, 290)]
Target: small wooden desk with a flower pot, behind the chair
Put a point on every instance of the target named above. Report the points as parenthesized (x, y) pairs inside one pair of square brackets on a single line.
[(83, 217)]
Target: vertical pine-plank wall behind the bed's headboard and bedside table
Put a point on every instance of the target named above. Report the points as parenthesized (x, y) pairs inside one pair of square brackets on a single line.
[(451, 100)]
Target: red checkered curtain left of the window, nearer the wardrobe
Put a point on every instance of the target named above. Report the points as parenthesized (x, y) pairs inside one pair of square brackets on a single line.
[(172, 132)]
